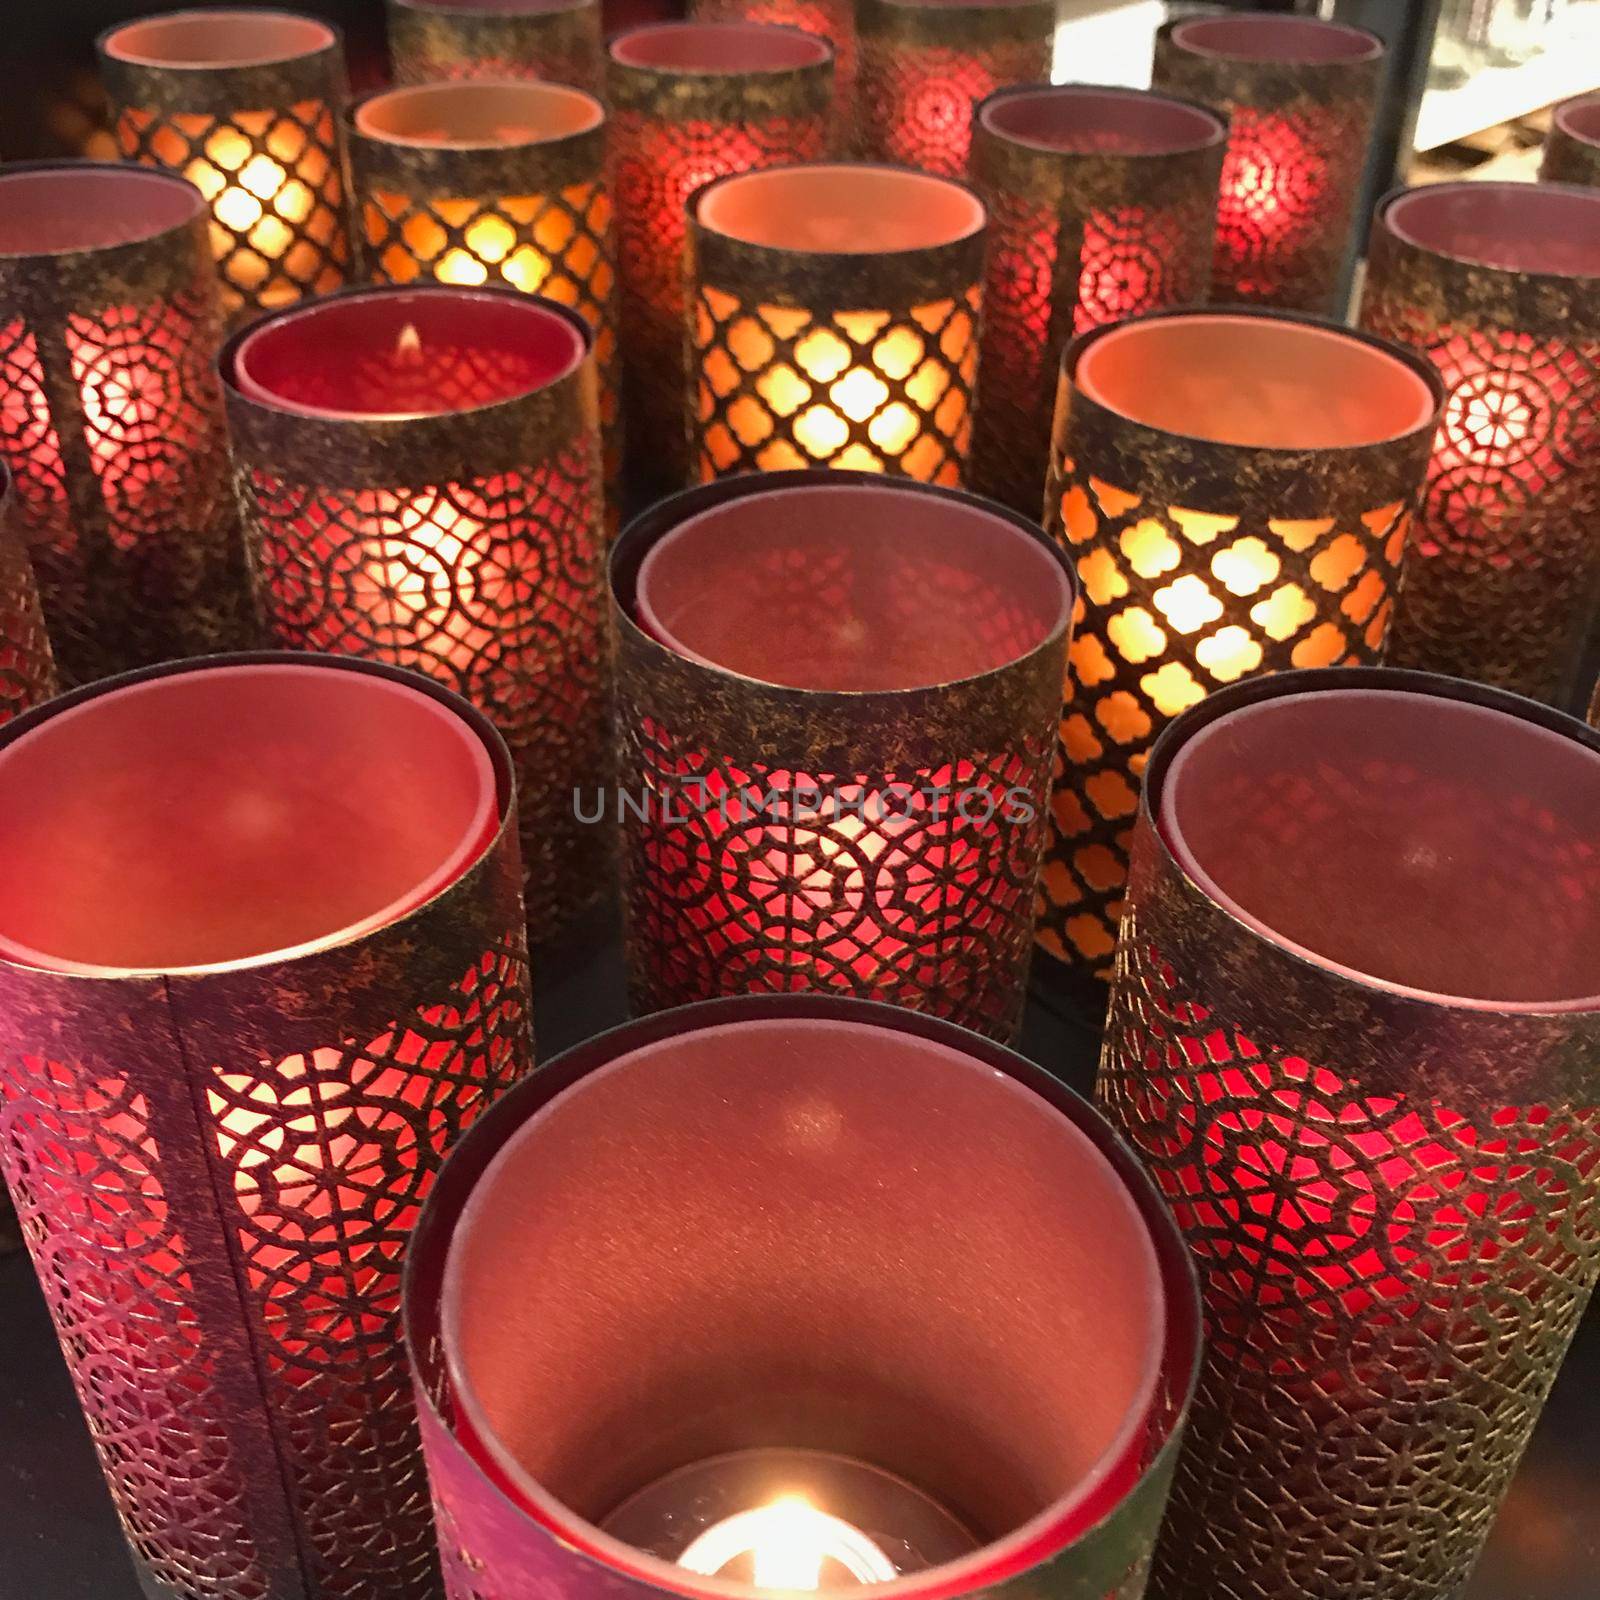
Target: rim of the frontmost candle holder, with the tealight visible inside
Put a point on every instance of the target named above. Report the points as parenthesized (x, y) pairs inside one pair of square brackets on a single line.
[(474, 1154)]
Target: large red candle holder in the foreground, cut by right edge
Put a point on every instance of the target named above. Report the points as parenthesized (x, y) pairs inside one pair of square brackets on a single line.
[(1354, 1036)]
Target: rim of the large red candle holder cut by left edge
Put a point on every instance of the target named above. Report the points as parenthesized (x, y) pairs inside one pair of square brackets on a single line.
[(310, 660)]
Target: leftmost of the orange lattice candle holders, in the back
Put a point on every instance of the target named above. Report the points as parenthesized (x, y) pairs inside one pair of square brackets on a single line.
[(246, 105)]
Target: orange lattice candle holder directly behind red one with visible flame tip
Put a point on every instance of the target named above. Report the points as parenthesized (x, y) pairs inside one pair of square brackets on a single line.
[(495, 183)]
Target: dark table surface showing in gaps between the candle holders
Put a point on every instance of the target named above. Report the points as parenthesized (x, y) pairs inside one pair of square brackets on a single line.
[(60, 1538)]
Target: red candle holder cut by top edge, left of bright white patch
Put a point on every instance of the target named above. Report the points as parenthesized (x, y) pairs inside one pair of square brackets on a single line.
[(926, 65)]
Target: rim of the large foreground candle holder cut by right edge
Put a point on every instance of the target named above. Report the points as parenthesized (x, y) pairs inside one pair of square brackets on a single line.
[(1308, 681)]
